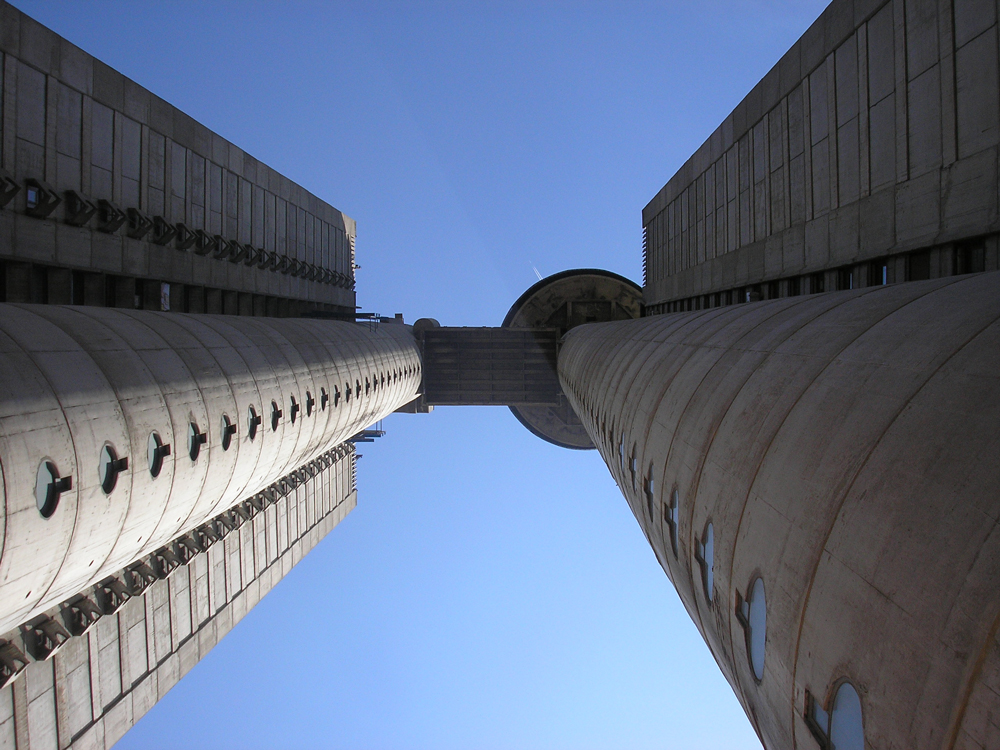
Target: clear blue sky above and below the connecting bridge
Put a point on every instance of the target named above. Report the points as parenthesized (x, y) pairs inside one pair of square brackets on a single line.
[(490, 590)]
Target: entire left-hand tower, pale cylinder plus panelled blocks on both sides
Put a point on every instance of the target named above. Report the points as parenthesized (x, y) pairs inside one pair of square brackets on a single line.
[(192, 459)]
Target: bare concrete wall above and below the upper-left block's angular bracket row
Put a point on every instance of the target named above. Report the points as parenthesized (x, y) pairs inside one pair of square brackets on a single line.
[(73, 122)]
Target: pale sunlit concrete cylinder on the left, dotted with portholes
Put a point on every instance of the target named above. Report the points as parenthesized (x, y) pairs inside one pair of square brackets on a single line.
[(75, 381)]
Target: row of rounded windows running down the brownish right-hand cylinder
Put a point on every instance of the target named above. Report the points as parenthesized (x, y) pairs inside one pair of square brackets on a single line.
[(839, 728)]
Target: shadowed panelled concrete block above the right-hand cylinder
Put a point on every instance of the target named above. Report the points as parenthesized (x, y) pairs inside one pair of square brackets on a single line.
[(875, 135)]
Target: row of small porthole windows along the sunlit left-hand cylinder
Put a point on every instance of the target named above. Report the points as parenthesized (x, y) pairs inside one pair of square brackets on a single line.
[(49, 485)]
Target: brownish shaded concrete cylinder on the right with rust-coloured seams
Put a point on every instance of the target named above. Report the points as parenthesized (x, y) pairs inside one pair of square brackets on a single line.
[(845, 449)]
